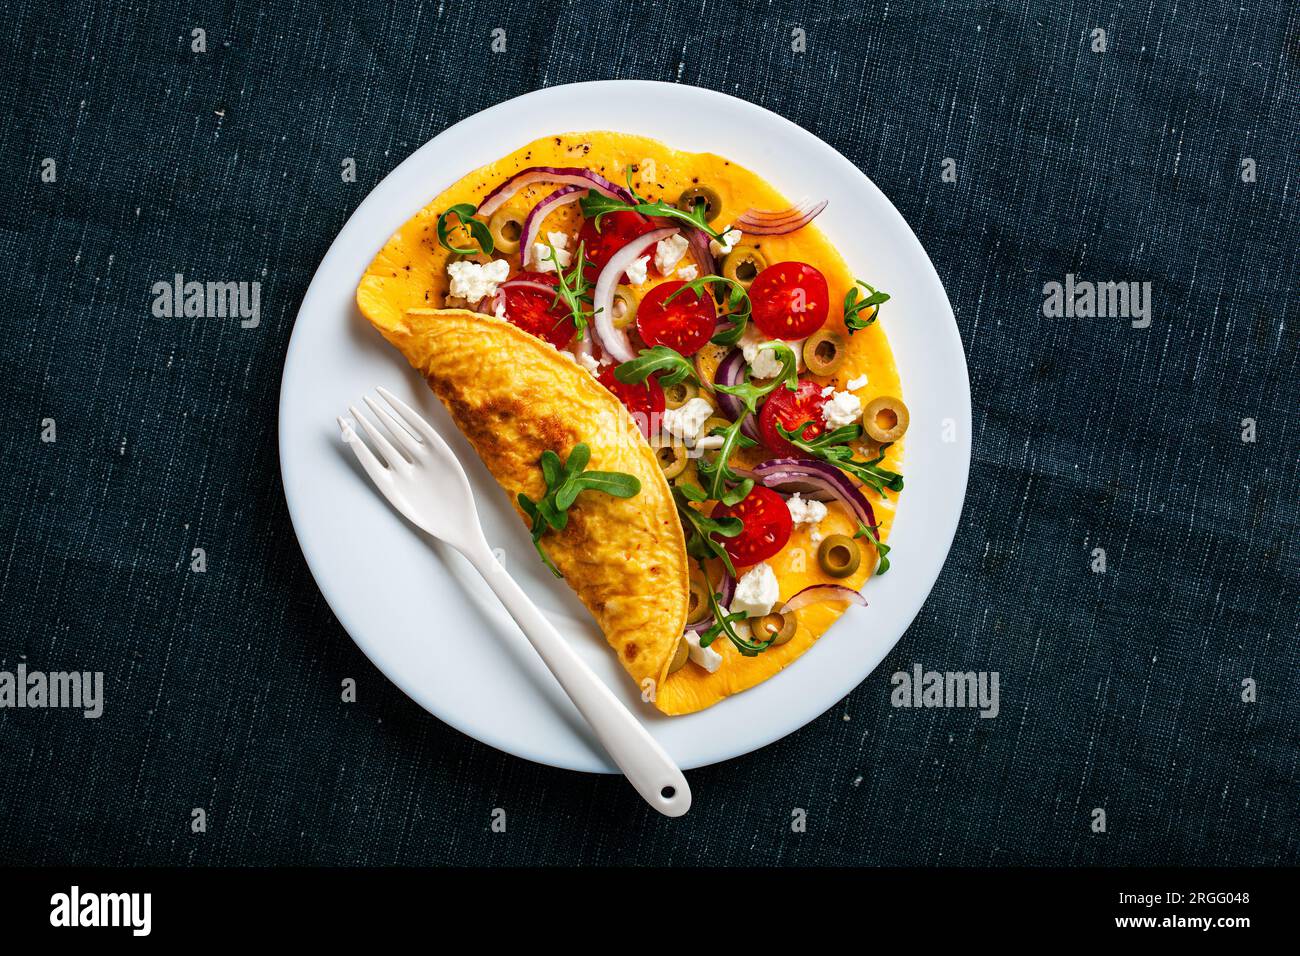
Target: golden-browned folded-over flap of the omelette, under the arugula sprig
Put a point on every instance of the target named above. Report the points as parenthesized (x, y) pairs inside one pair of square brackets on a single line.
[(515, 397)]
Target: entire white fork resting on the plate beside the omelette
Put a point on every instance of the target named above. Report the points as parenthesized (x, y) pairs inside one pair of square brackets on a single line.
[(422, 478)]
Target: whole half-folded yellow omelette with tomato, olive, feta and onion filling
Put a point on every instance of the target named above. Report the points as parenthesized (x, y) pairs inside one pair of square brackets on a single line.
[(486, 327)]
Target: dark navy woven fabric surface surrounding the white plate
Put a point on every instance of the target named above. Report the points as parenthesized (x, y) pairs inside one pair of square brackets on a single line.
[(1119, 691)]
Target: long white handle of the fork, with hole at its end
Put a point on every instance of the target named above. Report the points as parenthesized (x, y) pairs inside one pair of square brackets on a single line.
[(639, 755)]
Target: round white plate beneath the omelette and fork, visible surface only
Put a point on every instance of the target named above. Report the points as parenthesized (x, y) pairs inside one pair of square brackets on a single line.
[(418, 611)]
